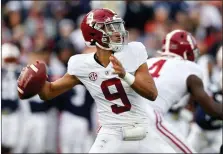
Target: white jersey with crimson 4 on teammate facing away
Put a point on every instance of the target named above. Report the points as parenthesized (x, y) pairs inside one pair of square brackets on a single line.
[(170, 76)]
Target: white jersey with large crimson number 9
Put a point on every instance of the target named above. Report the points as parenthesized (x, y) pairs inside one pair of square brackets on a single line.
[(117, 103)]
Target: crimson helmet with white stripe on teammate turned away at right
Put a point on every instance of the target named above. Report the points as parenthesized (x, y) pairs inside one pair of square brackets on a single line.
[(180, 43)]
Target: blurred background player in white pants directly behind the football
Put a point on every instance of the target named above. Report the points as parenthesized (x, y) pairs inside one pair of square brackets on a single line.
[(33, 133)]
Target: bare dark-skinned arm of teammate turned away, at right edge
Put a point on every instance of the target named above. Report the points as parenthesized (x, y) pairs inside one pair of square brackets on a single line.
[(195, 86)]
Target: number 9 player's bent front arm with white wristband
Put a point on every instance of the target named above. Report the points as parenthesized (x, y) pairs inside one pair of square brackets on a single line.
[(142, 82)]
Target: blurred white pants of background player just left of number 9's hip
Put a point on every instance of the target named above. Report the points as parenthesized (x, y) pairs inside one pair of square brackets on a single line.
[(74, 133)]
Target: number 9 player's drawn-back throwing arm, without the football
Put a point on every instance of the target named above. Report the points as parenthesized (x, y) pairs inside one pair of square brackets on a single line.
[(53, 89)]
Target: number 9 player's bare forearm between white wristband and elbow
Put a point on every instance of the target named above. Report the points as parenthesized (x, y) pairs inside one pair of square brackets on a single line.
[(147, 89)]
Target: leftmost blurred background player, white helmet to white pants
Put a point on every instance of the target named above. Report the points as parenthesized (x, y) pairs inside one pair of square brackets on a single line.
[(10, 102)]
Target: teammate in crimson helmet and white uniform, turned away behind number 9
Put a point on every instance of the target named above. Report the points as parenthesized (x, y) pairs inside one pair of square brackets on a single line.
[(176, 68)]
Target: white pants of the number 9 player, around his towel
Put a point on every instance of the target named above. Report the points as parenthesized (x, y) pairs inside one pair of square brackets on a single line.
[(110, 141)]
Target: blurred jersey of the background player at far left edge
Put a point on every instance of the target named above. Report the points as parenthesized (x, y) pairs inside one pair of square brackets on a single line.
[(9, 100)]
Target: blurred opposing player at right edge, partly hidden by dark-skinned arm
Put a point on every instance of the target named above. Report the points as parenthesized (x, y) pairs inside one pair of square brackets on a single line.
[(206, 129)]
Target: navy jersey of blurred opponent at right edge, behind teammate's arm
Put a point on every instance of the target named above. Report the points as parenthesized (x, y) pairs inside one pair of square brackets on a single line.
[(204, 120)]
